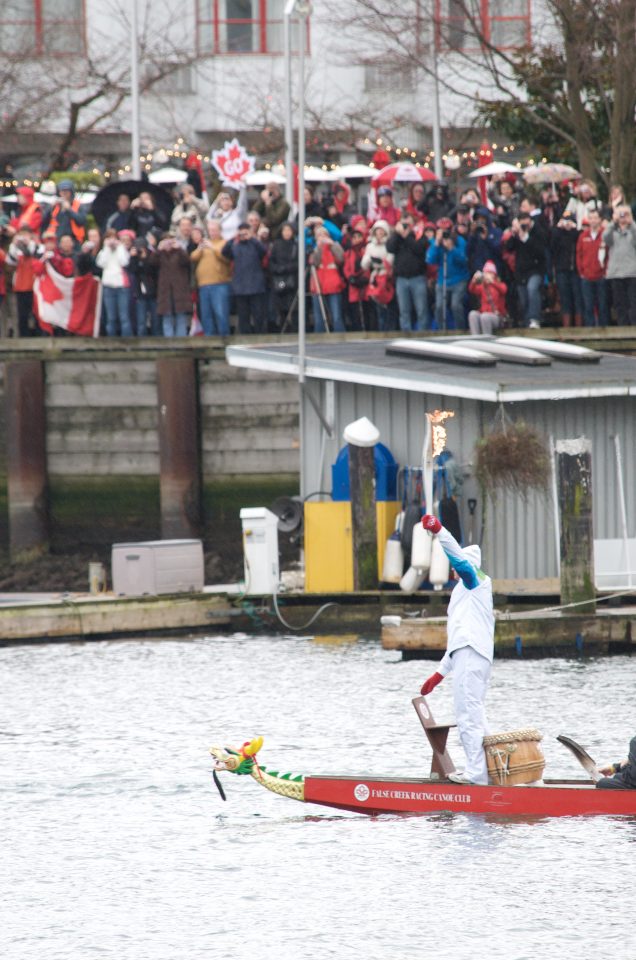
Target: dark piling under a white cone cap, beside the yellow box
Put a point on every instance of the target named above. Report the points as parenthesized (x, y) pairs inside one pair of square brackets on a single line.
[(363, 517)]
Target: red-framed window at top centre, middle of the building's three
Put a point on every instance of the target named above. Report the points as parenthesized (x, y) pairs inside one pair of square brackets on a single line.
[(243, 27)]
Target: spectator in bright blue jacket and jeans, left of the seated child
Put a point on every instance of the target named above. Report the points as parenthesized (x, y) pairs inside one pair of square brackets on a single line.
[(448, 254)]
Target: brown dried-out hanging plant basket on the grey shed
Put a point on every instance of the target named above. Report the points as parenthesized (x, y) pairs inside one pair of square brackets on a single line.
[(513, 457)]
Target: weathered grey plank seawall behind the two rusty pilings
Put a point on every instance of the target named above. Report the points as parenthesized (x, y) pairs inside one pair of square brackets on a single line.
[(102, 411)]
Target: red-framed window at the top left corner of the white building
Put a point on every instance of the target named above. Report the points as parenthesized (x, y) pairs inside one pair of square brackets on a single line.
[(39, 28)]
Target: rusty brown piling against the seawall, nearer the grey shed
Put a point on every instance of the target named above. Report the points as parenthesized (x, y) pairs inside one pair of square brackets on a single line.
[(179, 448)]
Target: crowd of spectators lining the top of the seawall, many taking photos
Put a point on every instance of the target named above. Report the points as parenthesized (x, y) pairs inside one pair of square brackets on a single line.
[(430, 261)]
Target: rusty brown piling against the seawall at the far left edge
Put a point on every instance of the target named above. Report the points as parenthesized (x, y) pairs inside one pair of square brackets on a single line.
[(27, 479)]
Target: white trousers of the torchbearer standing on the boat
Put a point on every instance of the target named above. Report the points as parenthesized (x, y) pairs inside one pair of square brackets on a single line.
[(471, 673)]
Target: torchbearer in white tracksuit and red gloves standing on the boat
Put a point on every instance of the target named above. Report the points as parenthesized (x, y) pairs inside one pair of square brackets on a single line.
[(469, 649)]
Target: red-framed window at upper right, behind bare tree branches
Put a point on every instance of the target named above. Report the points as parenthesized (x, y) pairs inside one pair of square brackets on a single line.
[(467, 25)]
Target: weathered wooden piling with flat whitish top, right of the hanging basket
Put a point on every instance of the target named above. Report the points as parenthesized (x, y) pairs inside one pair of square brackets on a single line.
[(574, 490)]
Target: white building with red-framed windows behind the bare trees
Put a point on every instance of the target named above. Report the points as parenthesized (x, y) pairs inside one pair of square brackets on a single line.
[(366, 73)]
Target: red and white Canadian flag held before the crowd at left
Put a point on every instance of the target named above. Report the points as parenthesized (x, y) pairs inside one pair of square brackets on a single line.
[(72, 303)]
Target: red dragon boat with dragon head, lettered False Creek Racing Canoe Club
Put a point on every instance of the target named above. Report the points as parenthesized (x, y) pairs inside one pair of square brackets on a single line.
[(374, 795)]
